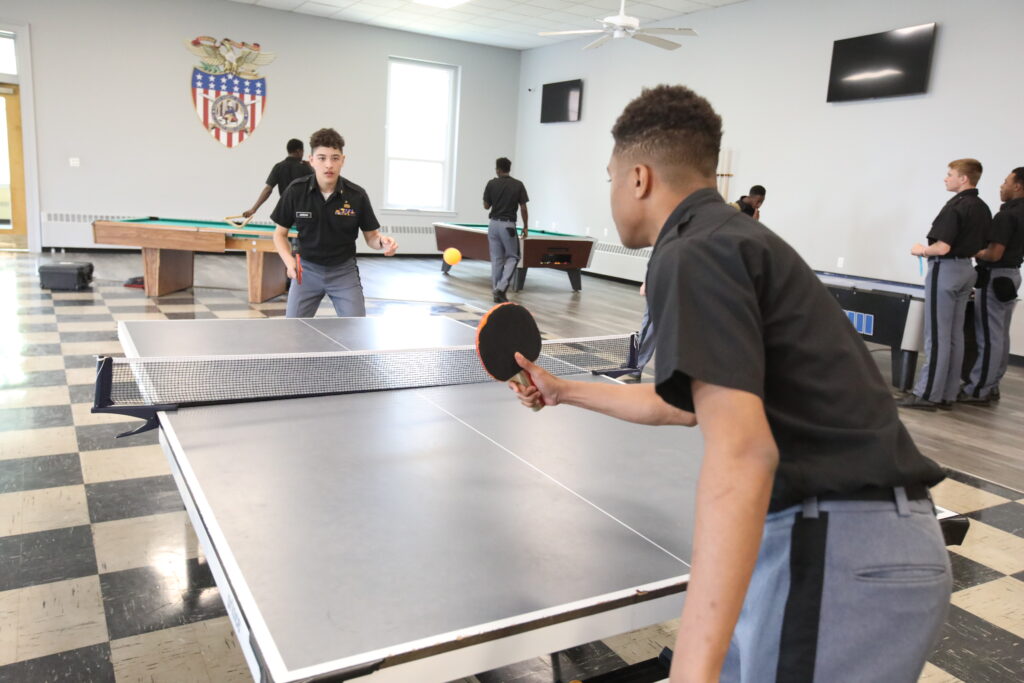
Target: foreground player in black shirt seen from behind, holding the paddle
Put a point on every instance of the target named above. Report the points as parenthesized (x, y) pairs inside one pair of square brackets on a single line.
[(806, 463)]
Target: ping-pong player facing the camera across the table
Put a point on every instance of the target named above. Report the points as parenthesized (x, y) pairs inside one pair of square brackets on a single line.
[(328, 211)]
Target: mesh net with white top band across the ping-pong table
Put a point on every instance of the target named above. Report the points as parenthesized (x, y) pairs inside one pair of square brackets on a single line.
[(132, 386)]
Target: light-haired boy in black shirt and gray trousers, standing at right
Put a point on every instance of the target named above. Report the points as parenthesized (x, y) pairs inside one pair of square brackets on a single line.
[(958, 234)]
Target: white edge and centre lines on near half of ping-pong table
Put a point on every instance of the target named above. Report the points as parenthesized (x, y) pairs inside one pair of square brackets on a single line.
[(269, 647)]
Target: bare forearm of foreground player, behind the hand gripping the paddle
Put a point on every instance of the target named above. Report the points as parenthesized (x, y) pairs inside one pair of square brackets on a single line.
[(632, 403)]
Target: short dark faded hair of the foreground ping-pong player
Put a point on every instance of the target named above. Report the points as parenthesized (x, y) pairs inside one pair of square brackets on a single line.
[(671, 126)]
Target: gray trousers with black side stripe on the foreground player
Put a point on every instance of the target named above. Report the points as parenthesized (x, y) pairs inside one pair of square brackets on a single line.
[(843, 592)]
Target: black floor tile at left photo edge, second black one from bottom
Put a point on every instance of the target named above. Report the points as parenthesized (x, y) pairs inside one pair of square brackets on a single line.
[(31, 560)]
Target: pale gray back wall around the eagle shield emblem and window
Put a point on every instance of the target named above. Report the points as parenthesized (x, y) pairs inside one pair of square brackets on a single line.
[(112, 83)]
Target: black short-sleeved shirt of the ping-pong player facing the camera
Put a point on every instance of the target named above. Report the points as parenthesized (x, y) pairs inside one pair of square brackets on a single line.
[(328, 229)]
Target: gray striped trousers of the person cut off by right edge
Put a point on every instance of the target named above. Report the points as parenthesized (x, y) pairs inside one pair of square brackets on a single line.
[(992, 330)]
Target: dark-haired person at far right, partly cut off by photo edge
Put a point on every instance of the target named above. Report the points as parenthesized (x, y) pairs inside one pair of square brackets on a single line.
[(996, 294)]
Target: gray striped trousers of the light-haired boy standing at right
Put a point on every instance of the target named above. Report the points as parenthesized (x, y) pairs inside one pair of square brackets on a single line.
[(948, 288)]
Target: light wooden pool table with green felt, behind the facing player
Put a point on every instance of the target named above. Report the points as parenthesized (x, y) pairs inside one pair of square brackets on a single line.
[(169, 244)]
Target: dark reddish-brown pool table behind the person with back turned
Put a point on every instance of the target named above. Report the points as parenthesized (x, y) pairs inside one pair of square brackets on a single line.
[(541, 249)]
